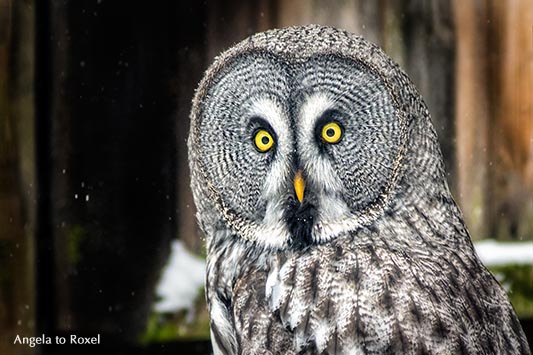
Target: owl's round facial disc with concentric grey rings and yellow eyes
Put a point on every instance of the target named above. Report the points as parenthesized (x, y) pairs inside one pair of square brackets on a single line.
[(300, 150)]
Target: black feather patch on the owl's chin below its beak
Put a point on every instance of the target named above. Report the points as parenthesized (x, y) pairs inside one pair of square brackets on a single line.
[(300, 218)]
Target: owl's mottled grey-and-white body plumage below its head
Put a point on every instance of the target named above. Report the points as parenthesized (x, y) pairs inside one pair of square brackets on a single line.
[(370, 296)]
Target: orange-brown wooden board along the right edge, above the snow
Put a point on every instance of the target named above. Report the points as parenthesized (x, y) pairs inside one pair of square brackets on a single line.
[(510, 201)]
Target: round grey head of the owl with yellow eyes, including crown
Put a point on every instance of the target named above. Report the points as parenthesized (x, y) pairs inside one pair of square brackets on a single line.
[(303, 134)]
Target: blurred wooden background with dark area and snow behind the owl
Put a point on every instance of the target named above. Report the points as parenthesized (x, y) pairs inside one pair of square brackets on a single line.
[(97, 227)]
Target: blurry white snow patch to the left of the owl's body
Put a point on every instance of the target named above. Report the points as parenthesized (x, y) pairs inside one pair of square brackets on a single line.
[(183, 278)]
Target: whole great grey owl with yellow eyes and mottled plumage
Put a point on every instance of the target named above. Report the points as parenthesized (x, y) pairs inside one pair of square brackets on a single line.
[(330, 228)]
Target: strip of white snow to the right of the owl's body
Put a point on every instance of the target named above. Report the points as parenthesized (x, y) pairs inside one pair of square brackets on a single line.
[(493, 253)]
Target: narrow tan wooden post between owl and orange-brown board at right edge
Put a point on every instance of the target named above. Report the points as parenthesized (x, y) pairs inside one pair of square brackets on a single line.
[(472, 113)]
